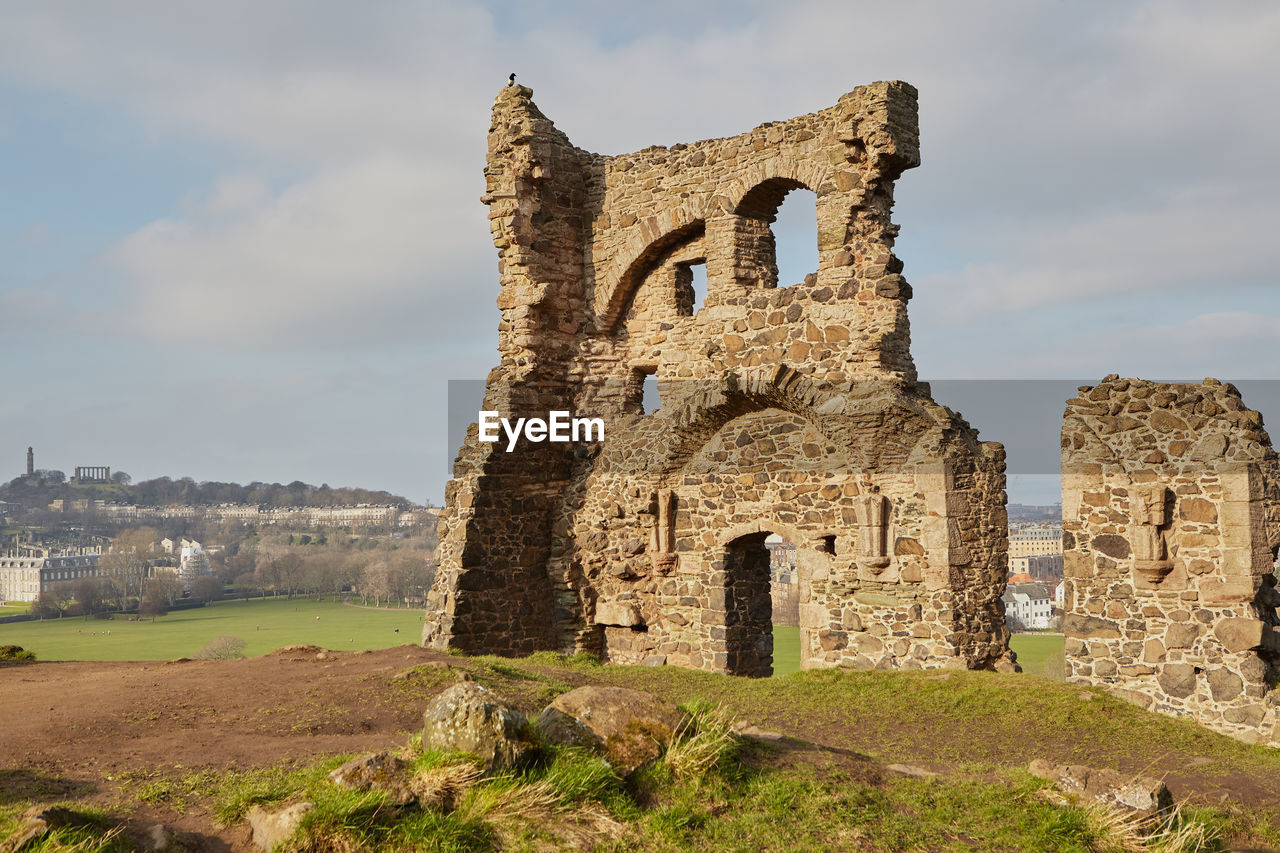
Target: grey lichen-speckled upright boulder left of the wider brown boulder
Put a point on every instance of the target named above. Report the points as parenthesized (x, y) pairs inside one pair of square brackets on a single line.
[(469, 718)]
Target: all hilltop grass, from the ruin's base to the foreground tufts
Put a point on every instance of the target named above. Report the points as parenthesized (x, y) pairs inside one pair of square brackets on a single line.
[(712, 791)]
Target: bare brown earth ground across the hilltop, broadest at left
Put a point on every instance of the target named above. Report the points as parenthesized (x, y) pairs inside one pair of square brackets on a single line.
[(92, 731)]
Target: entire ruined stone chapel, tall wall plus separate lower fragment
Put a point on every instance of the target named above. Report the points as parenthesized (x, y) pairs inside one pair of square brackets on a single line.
[(797, 410)]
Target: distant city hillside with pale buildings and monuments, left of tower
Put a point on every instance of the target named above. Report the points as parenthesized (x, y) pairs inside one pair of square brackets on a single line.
[(58, 532)]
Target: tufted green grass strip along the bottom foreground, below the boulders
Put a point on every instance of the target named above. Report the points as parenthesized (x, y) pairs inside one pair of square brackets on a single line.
[(710, 791)]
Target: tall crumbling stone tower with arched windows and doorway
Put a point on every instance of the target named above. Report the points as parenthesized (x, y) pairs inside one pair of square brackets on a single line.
[(792, 410)]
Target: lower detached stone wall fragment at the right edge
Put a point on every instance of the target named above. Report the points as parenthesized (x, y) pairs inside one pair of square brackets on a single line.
[(1171, 532)]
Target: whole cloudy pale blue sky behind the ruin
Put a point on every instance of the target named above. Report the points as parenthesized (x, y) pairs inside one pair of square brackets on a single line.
[(244, 241)]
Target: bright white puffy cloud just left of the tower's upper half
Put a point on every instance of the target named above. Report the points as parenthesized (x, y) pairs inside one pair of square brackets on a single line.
[(348, 257)]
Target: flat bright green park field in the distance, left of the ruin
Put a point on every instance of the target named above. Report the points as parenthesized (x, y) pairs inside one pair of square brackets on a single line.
[(264, 624)]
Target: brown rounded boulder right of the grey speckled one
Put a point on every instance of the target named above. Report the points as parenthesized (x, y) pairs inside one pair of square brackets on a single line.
[(628, 727)]
